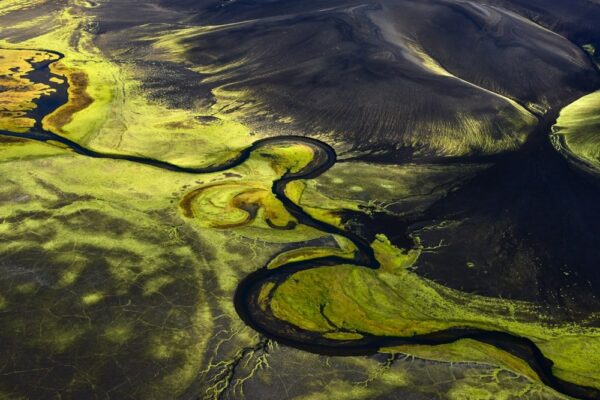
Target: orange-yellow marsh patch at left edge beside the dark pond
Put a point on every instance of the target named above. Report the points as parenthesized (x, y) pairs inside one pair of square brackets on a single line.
[(19, 92)]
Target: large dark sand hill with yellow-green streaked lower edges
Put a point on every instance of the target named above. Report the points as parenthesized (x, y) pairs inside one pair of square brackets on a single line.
[(418, 78)]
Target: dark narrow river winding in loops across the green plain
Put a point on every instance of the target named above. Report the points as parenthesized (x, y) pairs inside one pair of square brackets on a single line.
[(246, 295)]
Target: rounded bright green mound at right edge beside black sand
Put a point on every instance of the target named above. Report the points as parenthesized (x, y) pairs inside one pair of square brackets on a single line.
[(578, 130)]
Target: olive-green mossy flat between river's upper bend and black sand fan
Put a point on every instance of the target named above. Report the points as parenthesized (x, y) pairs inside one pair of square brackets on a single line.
[(378, 188)]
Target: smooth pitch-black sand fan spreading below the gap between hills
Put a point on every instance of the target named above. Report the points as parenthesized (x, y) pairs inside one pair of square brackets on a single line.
[(527, 229)]
